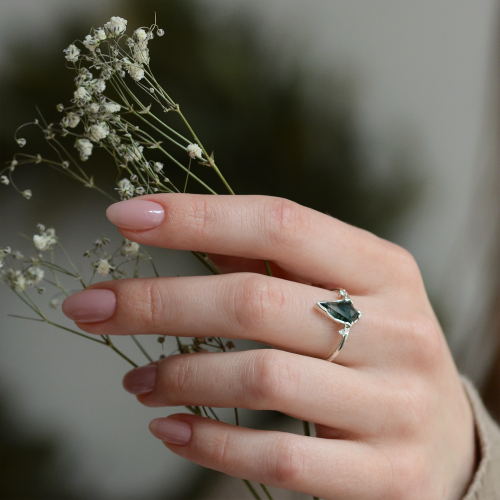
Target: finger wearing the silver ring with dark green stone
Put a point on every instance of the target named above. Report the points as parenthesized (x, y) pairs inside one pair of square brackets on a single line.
[(276, 312)]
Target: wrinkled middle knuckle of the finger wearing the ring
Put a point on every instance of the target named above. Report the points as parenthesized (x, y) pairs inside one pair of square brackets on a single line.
[(258, 300)]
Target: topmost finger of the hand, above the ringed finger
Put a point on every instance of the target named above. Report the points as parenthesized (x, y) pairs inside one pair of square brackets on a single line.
[(313, 246)]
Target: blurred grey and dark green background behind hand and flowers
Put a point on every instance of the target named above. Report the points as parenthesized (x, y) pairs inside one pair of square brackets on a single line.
[(383, 114)]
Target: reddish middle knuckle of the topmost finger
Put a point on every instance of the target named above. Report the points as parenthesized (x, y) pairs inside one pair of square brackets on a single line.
[(288, 222)]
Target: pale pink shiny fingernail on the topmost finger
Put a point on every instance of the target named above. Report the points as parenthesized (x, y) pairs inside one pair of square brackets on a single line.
[(137, 215)]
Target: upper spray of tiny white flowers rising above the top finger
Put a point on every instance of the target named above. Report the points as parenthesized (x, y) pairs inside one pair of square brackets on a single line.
[(120, 123)]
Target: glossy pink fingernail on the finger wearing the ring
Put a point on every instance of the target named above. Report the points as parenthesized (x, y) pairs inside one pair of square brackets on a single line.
[(90, 306)]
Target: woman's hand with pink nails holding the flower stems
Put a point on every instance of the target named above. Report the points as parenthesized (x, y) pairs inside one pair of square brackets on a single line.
[(392, 419)]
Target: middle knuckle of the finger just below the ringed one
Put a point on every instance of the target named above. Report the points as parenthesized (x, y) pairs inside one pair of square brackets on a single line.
[(272, 378)]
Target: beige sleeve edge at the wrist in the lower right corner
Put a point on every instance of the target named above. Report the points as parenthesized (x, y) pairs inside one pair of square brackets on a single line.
[(486, 482)]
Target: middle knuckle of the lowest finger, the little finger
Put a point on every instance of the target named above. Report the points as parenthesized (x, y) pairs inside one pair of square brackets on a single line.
[(290, 460)]
